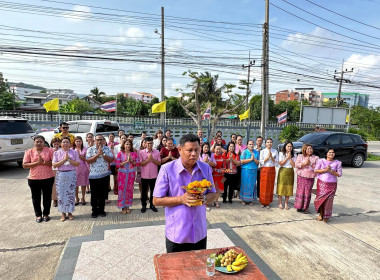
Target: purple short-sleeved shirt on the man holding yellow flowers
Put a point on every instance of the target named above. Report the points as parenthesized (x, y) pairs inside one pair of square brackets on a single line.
[(184, 224)]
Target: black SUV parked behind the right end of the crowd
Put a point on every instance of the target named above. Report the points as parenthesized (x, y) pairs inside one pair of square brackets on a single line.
[(349, 148)]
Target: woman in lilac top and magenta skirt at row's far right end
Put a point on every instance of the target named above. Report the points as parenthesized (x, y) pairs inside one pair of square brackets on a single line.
[(328, 170)]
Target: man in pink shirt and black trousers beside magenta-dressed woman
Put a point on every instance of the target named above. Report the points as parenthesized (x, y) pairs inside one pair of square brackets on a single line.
[(149, 159)]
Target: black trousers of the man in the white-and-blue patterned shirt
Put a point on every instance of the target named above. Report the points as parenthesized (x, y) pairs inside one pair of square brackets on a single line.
[(99, 191)]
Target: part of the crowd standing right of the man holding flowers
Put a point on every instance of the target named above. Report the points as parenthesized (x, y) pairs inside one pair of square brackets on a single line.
[(250, 171)]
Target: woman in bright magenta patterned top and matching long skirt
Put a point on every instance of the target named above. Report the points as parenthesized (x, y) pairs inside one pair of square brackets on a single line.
[(126, 162)]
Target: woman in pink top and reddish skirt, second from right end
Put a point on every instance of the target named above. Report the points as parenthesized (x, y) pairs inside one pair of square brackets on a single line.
[(305, 165)]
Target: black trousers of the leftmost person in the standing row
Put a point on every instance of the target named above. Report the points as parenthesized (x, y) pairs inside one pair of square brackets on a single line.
[(44, 187)]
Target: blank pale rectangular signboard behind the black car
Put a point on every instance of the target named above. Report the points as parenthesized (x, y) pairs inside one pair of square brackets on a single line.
[(324, 115)]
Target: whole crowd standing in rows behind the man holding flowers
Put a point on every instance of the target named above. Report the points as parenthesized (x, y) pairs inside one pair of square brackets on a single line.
[(238, 170)]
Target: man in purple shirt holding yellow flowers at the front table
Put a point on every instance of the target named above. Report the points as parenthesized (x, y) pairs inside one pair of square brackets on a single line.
[(186, 226)]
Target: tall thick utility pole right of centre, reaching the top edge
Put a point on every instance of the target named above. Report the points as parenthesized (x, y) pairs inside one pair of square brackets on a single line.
[(265, 66)]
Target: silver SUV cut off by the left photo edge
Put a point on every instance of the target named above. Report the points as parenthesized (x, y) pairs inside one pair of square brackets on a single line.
[(15, 137)]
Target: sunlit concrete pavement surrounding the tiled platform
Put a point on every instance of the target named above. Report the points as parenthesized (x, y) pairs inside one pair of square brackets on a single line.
[(291, 243)]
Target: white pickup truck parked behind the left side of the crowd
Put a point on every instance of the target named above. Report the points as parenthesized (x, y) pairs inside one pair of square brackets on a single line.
[(82, 127)]
